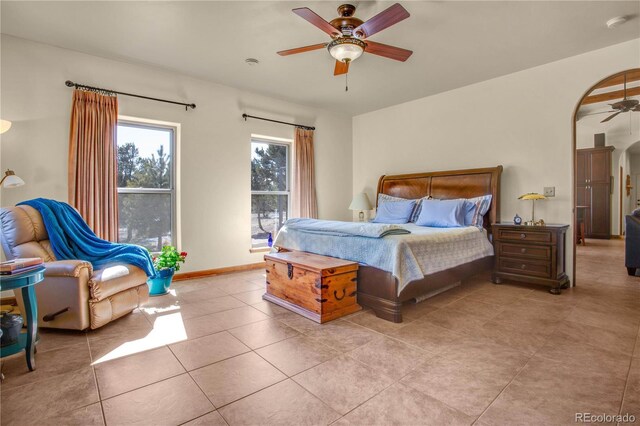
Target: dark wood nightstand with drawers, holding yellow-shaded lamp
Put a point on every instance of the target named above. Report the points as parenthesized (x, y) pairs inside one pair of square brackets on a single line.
[(530, 254)]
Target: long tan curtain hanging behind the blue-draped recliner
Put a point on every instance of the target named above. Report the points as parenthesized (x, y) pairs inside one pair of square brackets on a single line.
[(93, 161)]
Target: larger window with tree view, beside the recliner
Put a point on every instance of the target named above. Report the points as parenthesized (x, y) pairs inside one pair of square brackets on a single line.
[(146, 184)]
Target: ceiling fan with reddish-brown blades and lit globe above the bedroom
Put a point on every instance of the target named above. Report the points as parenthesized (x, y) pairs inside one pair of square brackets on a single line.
[(349, 35)]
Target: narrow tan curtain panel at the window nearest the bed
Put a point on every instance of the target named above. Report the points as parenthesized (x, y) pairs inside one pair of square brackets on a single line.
[(304, 199)]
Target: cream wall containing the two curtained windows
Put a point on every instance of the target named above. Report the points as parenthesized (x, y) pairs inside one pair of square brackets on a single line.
[(215, 145)]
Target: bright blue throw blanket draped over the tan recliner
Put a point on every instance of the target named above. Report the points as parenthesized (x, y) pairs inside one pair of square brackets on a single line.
[(71, 238)]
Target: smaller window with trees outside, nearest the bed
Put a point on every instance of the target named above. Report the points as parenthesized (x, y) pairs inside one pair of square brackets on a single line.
[(270, 188)]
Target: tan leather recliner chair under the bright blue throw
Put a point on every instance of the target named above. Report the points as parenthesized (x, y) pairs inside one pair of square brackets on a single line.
[(72, 296)]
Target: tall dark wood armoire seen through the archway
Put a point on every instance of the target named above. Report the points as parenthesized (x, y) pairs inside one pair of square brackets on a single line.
[(593, 176)]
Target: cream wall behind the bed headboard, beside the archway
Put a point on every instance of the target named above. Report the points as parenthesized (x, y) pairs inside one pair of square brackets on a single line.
[(522, 121)]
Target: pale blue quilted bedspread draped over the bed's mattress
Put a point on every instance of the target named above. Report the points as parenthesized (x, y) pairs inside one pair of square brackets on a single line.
[(408, 257)]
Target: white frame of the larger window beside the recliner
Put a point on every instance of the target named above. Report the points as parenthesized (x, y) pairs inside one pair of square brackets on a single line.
[(174, 129)]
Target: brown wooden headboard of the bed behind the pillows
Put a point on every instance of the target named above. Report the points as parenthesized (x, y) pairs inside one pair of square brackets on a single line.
[(448, 185)]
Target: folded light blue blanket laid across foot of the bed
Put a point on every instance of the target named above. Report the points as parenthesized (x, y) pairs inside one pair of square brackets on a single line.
[(344, 229)]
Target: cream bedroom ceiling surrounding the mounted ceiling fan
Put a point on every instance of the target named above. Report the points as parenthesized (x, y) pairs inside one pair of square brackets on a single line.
[(454, 43)]
